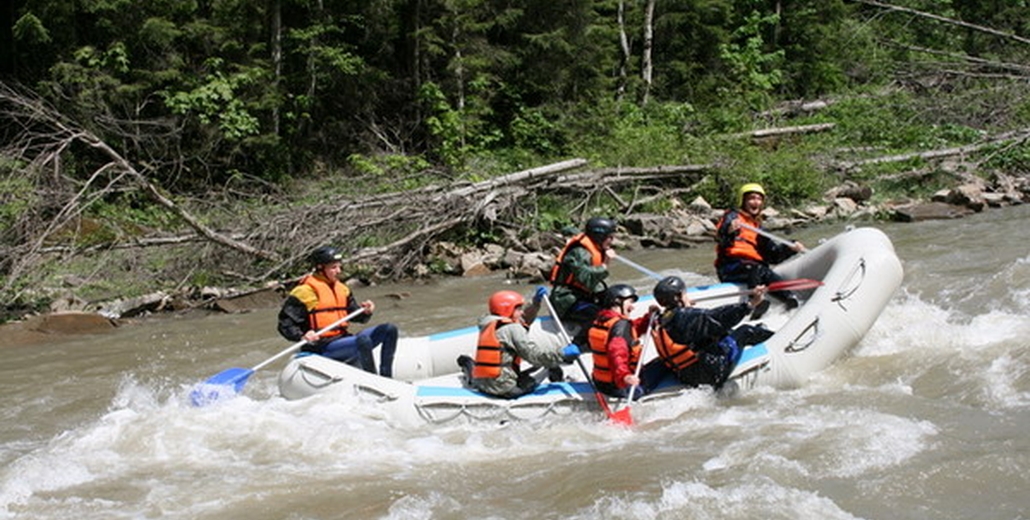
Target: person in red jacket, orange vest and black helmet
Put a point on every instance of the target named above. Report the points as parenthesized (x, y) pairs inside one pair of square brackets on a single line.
[(614, 341)]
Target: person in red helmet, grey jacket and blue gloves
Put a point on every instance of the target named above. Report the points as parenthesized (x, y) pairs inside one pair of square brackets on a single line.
[(504, 343)]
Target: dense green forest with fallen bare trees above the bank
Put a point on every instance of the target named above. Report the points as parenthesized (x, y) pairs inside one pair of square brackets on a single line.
[(197, 143)]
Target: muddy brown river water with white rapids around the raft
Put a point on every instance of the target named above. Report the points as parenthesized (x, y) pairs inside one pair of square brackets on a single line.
[(928, 419)]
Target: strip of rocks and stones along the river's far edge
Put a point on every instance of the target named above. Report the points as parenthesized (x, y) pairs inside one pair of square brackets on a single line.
[(685, 226)]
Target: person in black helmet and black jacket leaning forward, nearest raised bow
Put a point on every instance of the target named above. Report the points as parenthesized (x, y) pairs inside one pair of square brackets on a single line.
[(699, 346)]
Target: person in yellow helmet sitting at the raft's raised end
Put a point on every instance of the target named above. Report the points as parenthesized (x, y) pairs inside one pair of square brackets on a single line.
[(745, 257)]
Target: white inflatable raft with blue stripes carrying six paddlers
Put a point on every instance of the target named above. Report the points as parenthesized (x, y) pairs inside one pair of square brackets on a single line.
[(860, 270)]
